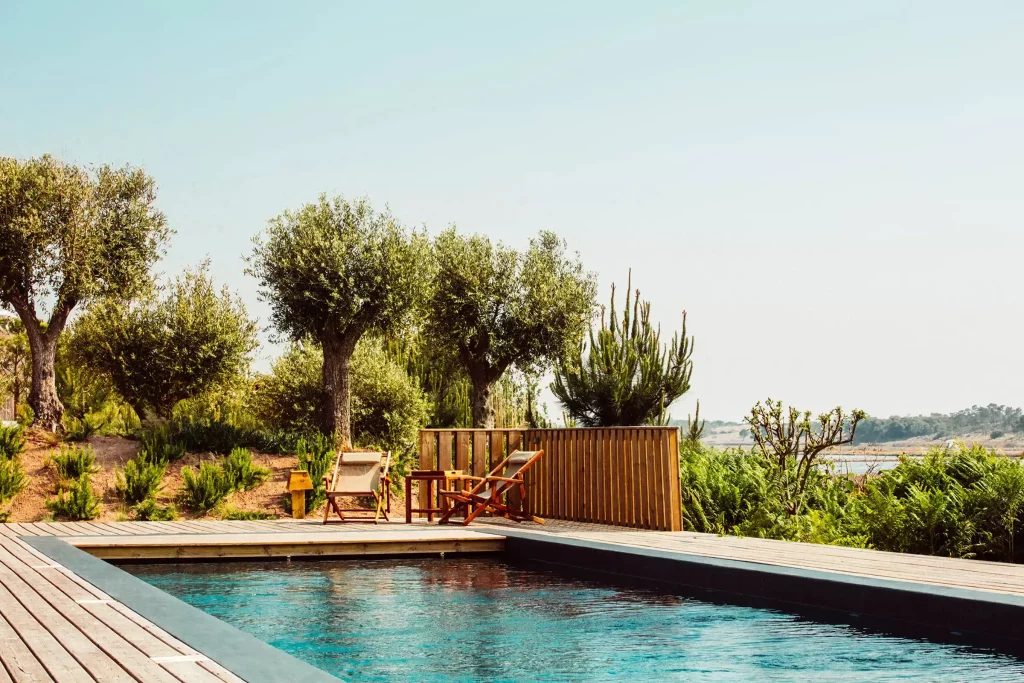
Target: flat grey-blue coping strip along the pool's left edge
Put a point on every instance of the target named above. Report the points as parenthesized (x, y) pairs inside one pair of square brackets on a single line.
[(245, 656)]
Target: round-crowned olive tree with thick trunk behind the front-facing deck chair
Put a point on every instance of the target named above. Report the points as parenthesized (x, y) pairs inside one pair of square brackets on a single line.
[(335, 271)]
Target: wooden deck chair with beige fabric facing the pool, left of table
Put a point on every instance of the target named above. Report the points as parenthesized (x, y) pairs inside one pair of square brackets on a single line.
[(360, 476)]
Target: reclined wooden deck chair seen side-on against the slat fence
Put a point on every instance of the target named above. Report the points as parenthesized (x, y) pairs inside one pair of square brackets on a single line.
[(487, 495)]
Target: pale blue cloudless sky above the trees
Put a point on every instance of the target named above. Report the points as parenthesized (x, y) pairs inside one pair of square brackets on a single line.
[(833, 191)]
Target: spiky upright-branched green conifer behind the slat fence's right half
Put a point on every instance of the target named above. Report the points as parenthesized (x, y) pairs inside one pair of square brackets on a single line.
[(627, 377)]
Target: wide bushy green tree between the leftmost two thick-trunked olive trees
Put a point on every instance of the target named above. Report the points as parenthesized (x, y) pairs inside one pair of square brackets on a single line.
[(164, 349)]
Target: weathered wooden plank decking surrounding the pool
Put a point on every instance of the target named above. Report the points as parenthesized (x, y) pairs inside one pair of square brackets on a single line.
[(58, 627)]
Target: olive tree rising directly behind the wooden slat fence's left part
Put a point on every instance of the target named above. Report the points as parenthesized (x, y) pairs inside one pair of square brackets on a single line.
[(495, 308)]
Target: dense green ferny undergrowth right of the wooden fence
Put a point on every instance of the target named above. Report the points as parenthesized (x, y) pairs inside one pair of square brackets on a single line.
[(966, 502)]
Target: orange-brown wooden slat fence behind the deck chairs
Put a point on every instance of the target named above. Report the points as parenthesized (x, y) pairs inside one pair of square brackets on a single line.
[(622, 477)]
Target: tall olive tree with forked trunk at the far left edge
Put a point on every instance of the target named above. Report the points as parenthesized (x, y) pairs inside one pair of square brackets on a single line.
[(69, 236)]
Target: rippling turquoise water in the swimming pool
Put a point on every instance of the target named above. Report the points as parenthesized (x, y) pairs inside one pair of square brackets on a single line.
[(482, 620)]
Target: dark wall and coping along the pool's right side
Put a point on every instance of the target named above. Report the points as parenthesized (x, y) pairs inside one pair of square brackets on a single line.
[(957, 615)]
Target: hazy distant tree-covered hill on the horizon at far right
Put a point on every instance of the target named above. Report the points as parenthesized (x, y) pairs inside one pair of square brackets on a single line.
[(993, 419)]
